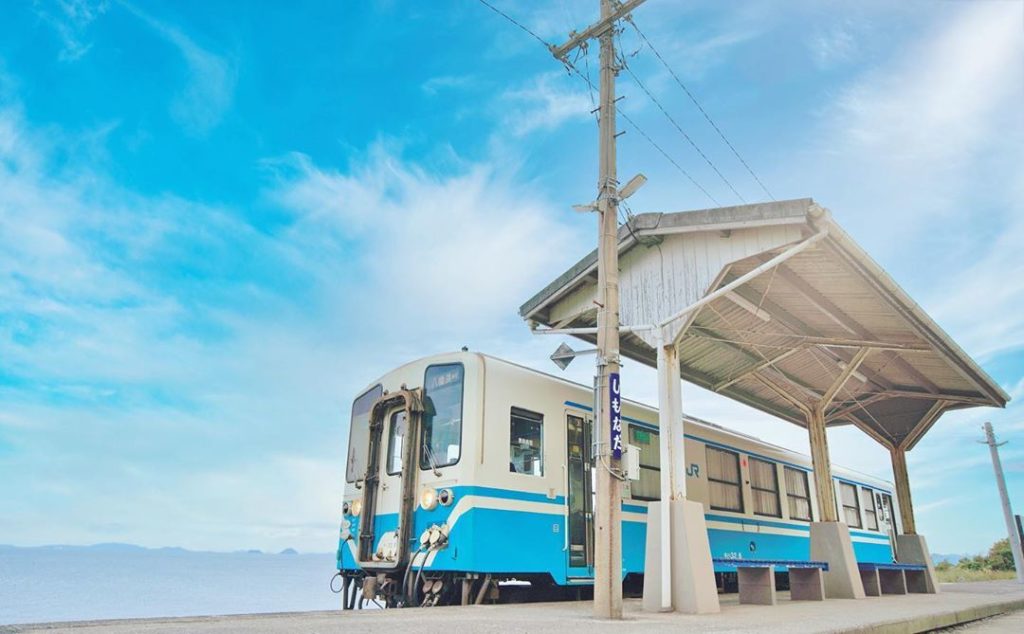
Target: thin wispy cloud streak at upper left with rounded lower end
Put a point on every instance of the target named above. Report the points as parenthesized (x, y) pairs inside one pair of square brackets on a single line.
[(209, 90)]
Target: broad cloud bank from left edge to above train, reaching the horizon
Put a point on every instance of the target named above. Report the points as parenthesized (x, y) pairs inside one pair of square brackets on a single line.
[(108, 298)]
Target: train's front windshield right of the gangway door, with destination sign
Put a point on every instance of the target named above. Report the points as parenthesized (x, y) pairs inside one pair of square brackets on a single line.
[(443, 416)]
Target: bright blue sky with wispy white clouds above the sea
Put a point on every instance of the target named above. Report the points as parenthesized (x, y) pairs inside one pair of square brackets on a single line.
[(220, 222)]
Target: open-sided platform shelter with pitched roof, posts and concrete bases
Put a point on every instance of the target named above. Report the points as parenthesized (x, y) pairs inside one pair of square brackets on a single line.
[(775, 306)]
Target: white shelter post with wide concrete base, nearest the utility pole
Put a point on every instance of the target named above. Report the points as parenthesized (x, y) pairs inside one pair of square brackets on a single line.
[(679, 574)]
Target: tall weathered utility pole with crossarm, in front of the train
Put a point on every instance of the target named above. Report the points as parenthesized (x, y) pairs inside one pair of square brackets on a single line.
[(608, 520)]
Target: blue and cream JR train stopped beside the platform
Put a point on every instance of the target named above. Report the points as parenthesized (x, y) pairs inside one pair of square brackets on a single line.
[(464, 471)]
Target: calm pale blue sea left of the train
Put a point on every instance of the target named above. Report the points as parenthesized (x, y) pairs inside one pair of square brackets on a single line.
[(72, 583)]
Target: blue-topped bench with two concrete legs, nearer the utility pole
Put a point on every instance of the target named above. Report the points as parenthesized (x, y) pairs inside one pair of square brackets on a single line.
[(757, 579)]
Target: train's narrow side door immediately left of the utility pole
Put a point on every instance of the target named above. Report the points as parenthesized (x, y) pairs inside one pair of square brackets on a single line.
[(579, 498)]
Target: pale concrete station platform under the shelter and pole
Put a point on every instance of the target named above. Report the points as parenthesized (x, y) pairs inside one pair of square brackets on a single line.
[(956, 605)]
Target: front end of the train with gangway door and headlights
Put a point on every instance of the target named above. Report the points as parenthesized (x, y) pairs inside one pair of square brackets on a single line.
[(406, 460)]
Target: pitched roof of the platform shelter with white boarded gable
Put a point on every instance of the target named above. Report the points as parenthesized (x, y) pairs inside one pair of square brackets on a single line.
[(781, 341)]
